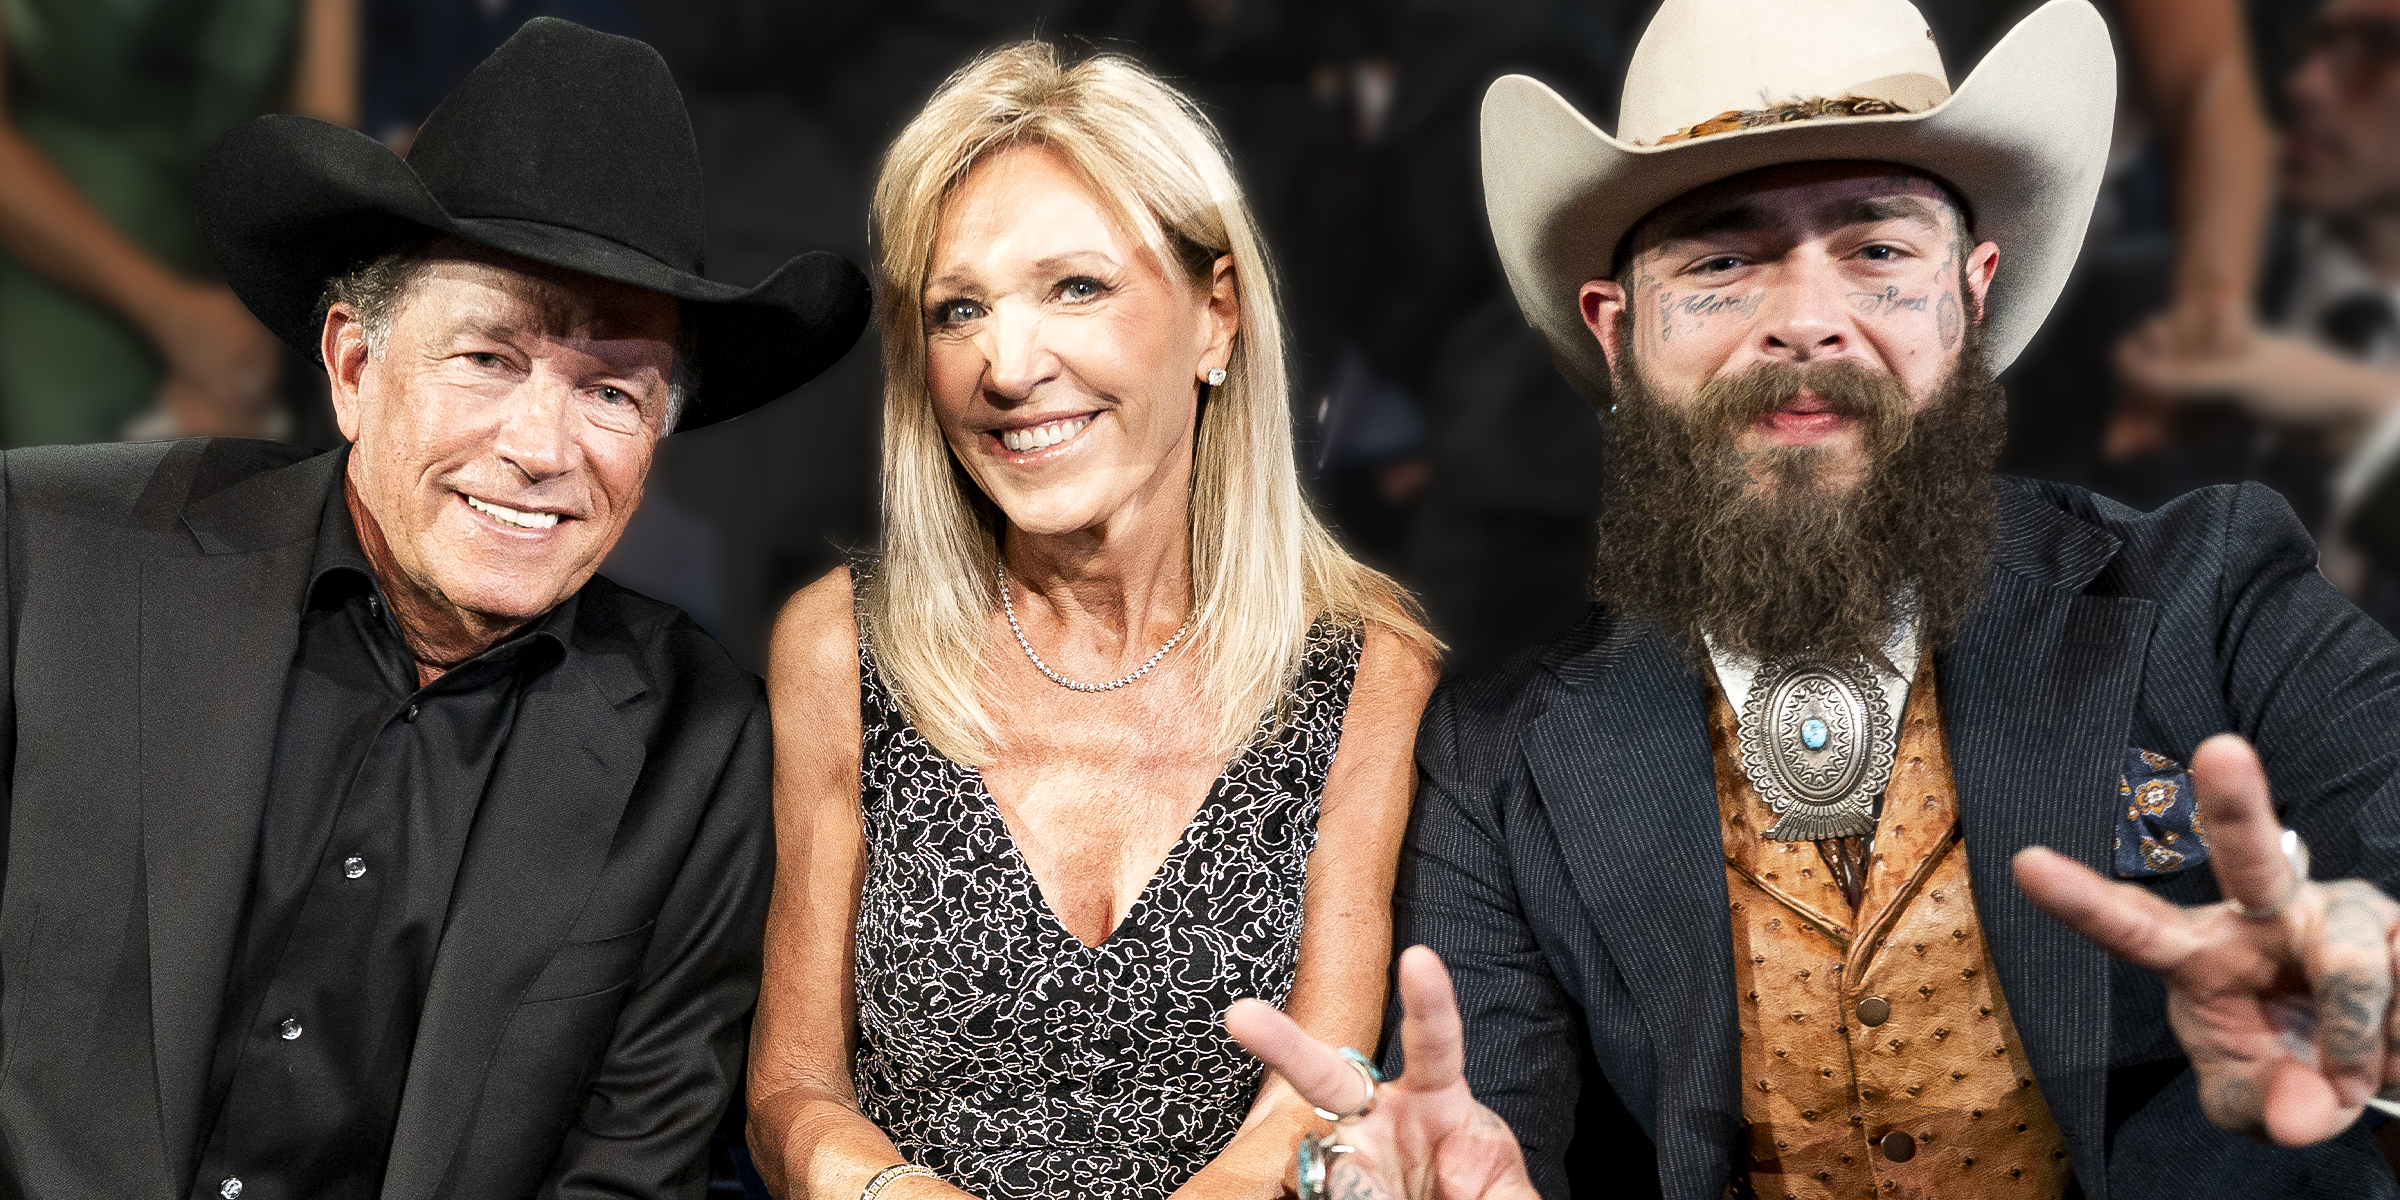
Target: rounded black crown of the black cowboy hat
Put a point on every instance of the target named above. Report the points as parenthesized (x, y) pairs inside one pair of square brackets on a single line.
[(572, 128)]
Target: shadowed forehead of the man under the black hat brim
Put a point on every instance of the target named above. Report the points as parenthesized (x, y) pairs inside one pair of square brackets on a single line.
[(472, 284)]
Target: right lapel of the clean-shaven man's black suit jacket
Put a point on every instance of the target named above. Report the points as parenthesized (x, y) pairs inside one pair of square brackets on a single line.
[(539, 846)]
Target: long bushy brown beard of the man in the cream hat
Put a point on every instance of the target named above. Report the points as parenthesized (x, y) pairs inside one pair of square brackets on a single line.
[(1760, 556)]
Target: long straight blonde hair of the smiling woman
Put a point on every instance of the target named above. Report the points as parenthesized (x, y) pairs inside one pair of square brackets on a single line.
[(1264, 568)]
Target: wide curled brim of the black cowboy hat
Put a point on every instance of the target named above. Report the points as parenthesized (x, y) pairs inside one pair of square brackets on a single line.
[(292, 203)]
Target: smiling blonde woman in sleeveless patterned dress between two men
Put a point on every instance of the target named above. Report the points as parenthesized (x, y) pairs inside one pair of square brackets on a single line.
[(1112, 733)]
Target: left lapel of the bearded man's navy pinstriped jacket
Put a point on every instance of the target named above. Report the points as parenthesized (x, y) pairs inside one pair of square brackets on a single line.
[(1626, 774)]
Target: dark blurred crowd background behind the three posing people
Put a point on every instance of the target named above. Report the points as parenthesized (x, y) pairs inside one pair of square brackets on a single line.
[(2231, 320)]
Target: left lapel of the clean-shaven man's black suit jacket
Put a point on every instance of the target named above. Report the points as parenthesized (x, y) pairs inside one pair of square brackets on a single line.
[(217, 642)]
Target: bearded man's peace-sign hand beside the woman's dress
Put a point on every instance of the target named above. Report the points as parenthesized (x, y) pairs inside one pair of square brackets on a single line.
[(1427, 1136)]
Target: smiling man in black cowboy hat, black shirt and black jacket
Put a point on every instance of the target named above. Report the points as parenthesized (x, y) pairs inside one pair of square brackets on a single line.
[(359, 839)]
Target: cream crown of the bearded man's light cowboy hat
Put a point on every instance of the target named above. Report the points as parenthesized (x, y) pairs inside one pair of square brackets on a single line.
[(1703, 59)]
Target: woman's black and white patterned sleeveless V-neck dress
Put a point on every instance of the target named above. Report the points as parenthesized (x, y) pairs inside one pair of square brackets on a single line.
[(1019, 1062)]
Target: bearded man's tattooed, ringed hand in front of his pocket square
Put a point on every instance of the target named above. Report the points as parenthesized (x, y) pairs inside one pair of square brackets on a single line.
[(2288, 1019)]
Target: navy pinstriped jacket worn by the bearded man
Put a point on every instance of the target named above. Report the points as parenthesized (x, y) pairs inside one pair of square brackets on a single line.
[(1566, 853)]
